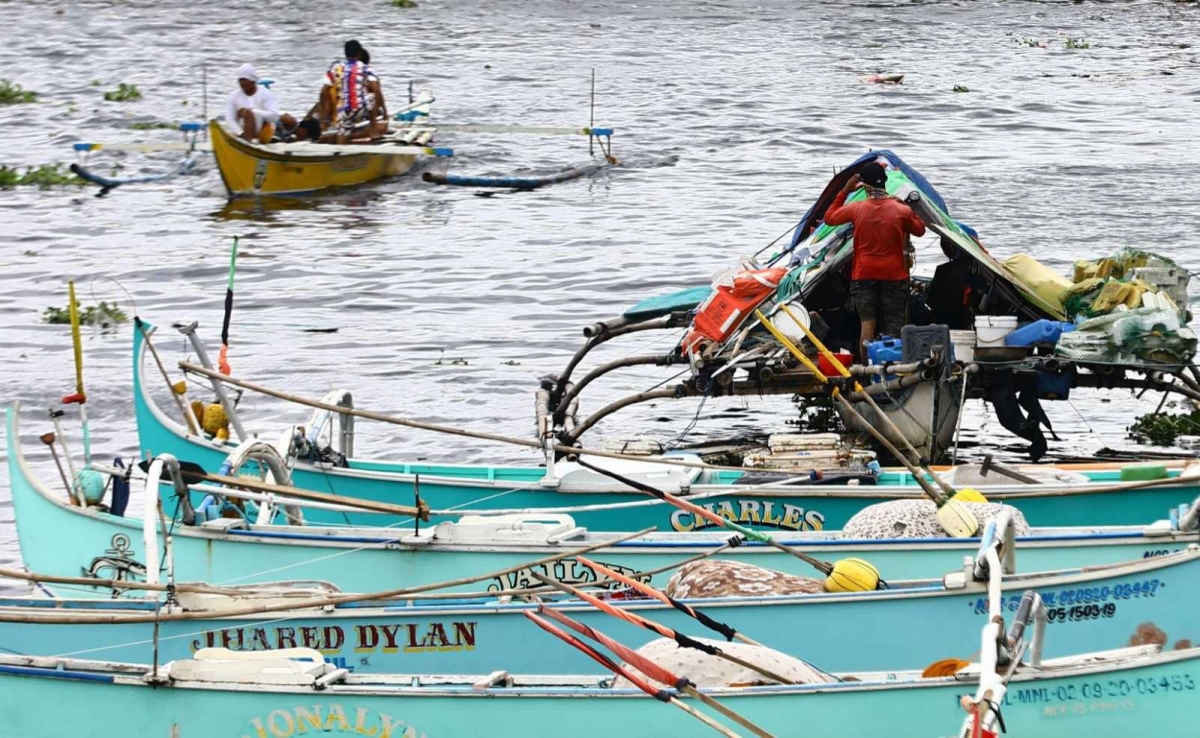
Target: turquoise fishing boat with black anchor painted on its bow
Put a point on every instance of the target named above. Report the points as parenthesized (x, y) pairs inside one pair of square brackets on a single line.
[(227, 551)]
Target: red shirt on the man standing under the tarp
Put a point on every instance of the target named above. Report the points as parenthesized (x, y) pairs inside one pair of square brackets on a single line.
[(881, 231)]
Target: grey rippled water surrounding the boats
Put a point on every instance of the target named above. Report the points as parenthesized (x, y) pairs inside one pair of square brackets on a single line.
[(730, 117)]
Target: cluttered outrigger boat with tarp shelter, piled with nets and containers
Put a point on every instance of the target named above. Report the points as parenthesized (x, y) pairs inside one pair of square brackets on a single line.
[(1130, 331)]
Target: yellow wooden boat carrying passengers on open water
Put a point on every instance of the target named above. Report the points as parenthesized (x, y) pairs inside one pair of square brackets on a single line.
[(255, 169)]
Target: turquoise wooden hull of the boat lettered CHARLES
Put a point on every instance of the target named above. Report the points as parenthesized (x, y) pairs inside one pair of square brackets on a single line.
[(789, 508)]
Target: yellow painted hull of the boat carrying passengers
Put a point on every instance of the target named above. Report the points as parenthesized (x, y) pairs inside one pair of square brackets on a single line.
[(250, 169)]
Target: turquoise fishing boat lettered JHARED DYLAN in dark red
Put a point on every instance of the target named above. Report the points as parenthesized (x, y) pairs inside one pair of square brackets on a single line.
[(913, 623)]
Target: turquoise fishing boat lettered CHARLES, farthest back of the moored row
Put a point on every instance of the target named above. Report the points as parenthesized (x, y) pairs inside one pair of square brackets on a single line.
[(1069, 496)]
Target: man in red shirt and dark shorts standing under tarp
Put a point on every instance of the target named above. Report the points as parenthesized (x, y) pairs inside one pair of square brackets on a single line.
[(879, 277)]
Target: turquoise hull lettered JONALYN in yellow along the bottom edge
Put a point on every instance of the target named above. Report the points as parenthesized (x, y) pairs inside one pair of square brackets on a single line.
[(1109, 697)]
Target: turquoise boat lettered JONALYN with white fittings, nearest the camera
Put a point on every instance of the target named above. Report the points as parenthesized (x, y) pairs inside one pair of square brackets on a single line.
[(224, 694)]
